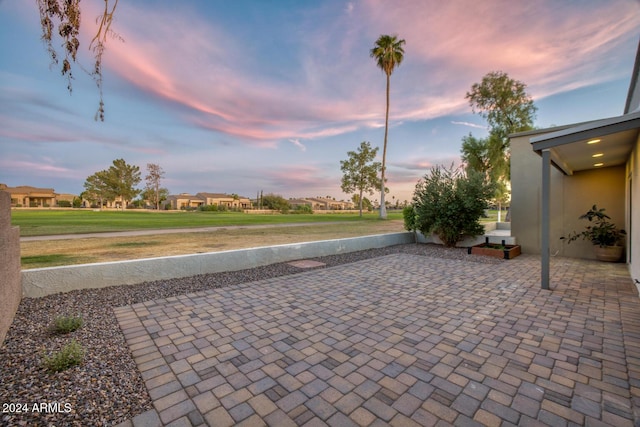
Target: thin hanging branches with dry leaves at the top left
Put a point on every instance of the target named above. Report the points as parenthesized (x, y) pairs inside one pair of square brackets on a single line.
[(61, 18)]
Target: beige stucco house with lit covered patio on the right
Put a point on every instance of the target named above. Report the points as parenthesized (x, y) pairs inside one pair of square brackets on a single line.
[(558, 174)]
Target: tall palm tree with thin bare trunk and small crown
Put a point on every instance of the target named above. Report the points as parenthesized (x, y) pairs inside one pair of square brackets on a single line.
[(388, 53)]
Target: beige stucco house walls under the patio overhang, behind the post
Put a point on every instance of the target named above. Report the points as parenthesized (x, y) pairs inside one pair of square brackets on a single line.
[(571, 196)]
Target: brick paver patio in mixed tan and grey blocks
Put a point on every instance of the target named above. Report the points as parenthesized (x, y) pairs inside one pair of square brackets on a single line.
[(399, 340)]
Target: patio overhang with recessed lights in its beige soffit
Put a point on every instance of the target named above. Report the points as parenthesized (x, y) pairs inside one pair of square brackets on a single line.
[(591, 145)]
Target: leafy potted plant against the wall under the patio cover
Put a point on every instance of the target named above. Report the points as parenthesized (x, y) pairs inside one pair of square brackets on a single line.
[(602, 233)]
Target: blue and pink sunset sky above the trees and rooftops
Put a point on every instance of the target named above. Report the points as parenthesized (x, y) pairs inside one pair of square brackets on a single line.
[(248, 96)]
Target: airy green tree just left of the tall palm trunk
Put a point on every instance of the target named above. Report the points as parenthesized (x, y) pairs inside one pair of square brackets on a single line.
[(360, 172)]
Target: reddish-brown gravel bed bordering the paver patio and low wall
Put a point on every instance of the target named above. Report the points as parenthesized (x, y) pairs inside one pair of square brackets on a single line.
[(106, 388)]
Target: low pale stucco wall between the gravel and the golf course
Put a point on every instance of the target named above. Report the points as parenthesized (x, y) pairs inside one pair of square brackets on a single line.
[(40, 282)]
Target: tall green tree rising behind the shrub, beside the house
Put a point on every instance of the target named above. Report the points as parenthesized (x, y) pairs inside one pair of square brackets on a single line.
[(508, 108)]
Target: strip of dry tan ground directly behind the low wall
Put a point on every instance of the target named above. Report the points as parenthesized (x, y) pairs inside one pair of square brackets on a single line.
[(48, 253)]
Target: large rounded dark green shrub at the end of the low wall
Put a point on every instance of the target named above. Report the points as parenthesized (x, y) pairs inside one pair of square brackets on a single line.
[(449, 203)]
